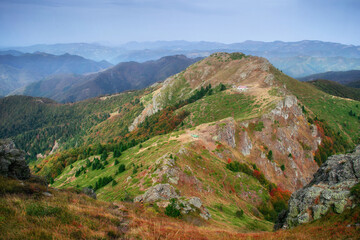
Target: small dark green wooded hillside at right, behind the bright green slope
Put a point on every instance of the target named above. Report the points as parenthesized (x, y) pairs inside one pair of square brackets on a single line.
[(336, 89)]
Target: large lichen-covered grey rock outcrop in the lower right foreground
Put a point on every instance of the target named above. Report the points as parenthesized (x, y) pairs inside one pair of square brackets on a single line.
[(330, 189)]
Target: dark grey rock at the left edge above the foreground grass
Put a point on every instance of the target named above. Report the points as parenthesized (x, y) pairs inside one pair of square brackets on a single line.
[(12, 161)]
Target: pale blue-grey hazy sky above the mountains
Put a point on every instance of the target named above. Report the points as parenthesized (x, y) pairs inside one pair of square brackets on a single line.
[(112, 22)]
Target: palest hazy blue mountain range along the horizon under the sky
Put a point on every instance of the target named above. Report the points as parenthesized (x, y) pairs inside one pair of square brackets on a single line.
[(298, 59)]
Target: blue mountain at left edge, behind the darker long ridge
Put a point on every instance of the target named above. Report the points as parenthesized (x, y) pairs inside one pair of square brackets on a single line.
[(18, 71)]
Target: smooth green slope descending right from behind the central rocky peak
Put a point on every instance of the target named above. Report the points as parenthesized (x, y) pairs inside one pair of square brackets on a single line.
[(333, 109)]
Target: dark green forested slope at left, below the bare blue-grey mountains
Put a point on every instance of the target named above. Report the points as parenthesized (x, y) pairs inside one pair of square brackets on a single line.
[(35, 123)]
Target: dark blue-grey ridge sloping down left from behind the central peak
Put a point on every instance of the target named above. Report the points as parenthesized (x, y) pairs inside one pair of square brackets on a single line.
[(124, 76)]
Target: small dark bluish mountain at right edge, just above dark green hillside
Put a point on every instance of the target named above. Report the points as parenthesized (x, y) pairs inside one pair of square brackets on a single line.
[(343, 77)]
